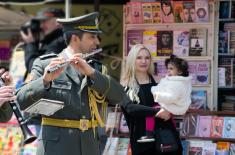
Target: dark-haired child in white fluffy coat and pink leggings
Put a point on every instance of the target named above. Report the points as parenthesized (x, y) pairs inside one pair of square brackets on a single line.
[(172, 93)]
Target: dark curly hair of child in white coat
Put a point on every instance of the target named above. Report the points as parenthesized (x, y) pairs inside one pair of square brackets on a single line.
[(179, 63)]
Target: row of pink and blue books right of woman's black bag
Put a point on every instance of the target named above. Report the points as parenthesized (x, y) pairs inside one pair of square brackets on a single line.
[(209, 125)]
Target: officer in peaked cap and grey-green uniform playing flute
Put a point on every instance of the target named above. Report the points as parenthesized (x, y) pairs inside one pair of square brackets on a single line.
[(73, 129)]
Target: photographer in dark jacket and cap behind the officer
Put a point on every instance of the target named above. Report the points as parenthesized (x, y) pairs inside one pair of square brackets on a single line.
[(51, 41)]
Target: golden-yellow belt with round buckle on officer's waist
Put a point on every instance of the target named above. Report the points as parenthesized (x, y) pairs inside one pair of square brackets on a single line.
[(82, 124)]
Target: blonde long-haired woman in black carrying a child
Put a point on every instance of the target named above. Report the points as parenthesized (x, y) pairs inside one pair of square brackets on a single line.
[(137, 81)]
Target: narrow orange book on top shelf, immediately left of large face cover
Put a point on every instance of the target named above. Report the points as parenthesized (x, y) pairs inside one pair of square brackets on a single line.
[(156, 8)]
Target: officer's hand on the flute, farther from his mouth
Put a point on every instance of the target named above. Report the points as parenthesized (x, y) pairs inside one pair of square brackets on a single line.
[(48, 77)]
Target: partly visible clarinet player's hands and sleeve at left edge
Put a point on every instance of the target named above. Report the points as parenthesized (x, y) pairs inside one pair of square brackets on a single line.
[(6, 94)]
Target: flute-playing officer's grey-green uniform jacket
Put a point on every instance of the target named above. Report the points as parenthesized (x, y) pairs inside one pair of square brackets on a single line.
[(72, 89)]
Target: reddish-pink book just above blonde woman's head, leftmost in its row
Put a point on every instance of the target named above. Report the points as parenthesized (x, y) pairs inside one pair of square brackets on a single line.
[(134, 37)]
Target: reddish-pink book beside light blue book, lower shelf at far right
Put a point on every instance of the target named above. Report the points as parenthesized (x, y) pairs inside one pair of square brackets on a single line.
[(217, 126)]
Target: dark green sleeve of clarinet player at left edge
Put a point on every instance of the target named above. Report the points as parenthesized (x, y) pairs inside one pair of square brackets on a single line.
[(5, 112)]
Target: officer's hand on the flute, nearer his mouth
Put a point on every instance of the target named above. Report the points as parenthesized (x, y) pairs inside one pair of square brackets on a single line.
[(80, 64)]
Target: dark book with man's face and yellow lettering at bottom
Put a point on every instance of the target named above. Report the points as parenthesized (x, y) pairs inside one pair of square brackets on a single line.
[(164, 43)]
